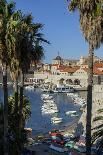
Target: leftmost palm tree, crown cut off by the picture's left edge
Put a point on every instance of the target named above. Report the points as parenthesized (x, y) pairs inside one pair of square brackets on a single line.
[(6, 10)]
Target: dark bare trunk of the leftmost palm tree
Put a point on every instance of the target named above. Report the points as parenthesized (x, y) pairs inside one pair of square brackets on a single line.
[(5, 89)]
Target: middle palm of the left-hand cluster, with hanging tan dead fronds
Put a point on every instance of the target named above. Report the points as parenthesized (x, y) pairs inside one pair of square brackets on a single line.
[(12, 28)]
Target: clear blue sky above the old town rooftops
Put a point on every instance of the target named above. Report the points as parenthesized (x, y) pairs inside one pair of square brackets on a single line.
[(61, 28)]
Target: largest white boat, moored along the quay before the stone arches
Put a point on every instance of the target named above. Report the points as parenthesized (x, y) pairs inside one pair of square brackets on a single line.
[(63, 89)]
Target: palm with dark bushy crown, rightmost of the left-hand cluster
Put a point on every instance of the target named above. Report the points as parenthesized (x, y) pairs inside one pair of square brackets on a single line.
[(28, 49)]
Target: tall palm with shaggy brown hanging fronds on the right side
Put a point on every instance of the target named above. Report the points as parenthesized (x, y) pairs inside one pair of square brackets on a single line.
[(91, 25)]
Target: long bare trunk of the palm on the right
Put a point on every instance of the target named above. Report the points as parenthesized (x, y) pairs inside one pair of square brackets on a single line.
[(89, 102)]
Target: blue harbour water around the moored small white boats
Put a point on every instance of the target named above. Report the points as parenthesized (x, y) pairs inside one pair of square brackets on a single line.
[(40, 122)]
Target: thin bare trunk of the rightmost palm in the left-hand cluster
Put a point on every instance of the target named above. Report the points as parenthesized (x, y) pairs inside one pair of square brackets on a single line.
[(21, 99)]
